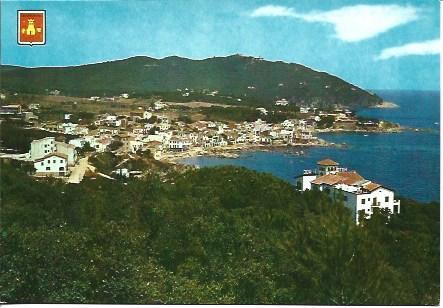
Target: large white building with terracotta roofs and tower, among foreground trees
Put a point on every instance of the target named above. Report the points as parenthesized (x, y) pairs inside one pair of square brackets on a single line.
[(361, 196)]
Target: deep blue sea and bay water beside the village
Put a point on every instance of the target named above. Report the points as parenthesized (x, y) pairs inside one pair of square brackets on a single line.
[(407, 162)]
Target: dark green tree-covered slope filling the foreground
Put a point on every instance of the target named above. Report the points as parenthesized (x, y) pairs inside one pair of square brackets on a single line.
[(213, 235)]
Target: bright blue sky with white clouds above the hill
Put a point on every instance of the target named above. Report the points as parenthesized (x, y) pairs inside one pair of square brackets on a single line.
[(373, 44)]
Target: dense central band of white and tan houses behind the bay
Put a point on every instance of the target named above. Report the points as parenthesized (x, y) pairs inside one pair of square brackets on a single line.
[(153, 129)]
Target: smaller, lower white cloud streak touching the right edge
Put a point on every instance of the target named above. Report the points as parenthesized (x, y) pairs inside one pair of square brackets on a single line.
[(431, 47)]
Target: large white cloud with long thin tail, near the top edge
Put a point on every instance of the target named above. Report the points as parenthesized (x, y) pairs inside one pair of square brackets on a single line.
[(351, 23)]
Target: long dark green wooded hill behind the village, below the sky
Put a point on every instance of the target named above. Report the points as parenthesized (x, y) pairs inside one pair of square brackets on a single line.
[(252, 79)]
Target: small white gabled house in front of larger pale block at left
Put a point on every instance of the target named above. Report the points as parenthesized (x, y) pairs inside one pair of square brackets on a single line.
[(53, 164)]
